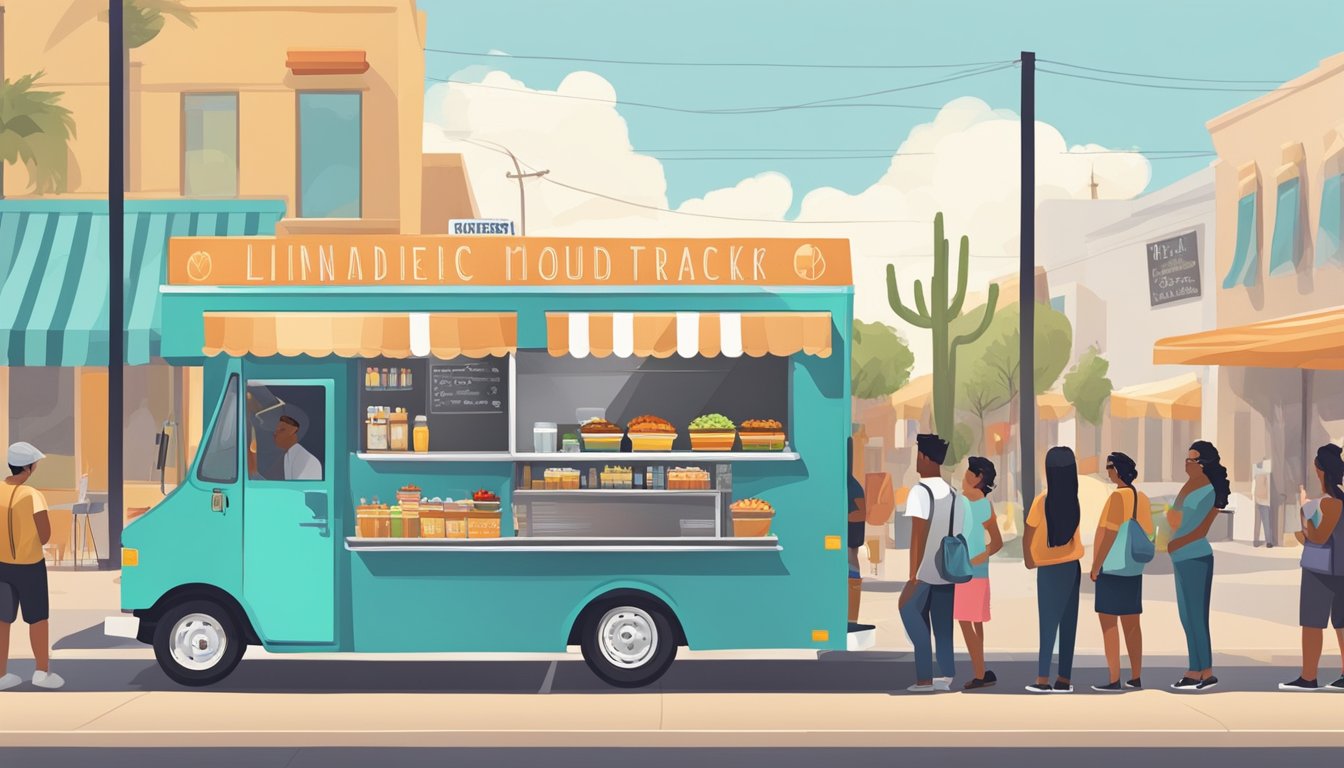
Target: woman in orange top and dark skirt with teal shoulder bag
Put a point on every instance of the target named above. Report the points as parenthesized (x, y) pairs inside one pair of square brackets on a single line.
[(1120, 599)]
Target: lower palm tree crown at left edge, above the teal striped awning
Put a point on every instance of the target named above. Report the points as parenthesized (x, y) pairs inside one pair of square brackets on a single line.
[(36, 131)]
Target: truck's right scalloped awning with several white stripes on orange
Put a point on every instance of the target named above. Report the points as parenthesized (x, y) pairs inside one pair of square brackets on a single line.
[(687, 334)]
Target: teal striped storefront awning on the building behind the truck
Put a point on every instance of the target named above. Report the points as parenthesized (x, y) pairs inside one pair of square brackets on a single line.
[(54, 270)]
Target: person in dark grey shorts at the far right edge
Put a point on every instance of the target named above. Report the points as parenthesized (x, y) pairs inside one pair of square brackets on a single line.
[(1322, 602)]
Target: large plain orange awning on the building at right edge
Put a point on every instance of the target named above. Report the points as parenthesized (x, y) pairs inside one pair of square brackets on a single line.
[(1311, 341)]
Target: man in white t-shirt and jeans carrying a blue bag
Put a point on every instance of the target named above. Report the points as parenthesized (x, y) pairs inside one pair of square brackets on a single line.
[(928, 598)]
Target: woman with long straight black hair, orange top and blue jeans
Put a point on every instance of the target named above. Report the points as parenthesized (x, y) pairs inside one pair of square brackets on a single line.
[(1053, 548)]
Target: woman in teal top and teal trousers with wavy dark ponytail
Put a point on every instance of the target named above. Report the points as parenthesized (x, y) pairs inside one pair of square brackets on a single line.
[(1204, 496)]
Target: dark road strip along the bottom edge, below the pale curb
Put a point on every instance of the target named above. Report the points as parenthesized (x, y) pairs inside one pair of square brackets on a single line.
[(795, 758)]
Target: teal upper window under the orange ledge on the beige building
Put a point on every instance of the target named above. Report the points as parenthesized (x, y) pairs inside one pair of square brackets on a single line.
[(330, 155)]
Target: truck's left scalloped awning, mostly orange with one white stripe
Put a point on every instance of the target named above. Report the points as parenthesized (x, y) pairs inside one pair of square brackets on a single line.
[(361, 334)]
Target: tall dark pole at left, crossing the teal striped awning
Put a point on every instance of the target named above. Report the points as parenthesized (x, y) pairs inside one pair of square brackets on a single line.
[(116, 280)]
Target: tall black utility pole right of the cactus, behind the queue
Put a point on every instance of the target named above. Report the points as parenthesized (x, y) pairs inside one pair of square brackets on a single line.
[(1027, 289)]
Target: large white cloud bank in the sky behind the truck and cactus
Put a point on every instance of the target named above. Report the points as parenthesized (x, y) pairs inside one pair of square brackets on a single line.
[(964, 163)]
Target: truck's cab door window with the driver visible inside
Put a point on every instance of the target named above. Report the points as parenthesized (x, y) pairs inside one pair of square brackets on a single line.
[(287, 435)]
